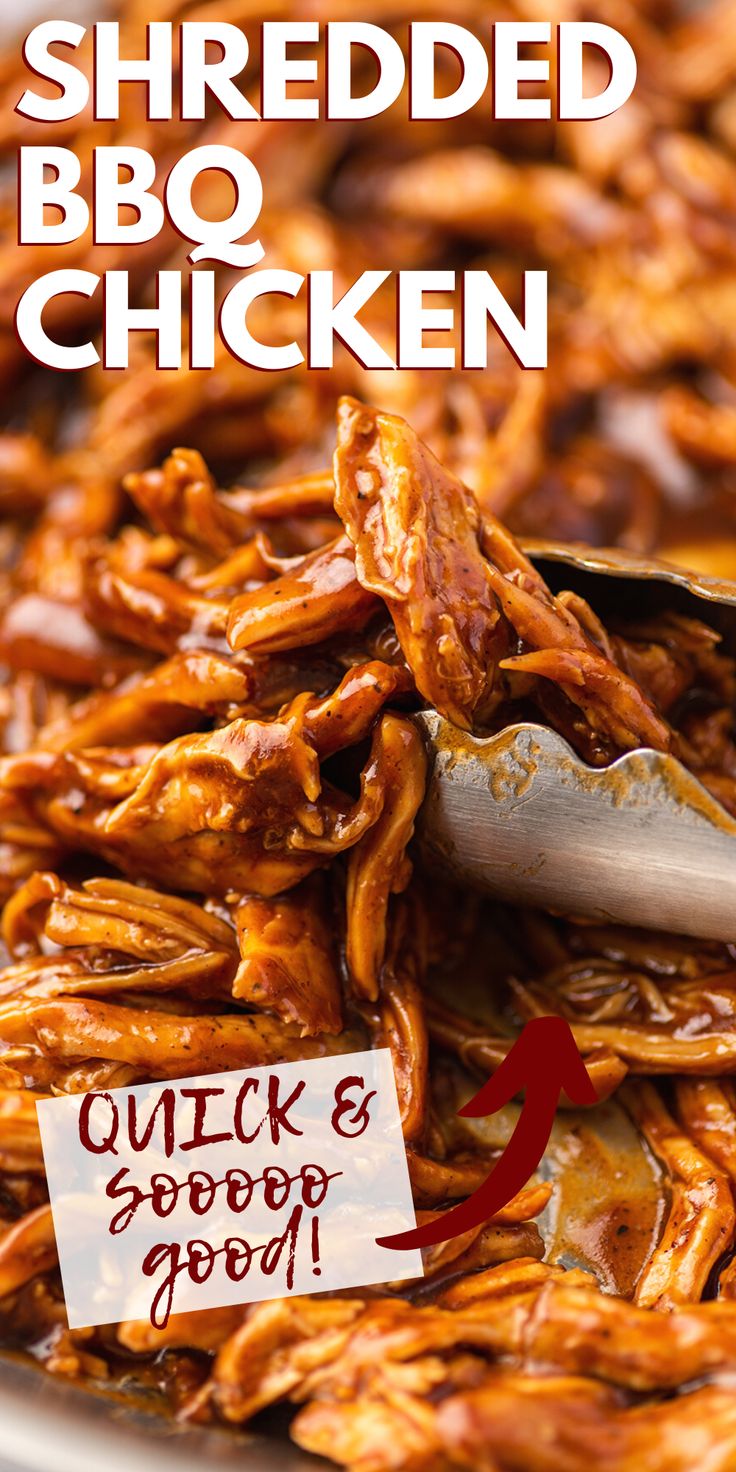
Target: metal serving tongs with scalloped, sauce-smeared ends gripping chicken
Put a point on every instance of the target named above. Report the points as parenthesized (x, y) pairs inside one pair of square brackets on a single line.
[(640, 843)]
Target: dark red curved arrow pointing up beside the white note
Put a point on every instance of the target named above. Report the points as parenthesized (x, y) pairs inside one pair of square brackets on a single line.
[(544, 1061)]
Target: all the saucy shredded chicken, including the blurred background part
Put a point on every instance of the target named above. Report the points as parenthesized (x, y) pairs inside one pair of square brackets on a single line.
[(211, 660)]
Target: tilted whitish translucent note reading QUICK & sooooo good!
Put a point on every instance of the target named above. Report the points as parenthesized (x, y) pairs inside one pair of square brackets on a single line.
[(229, 1189)]
